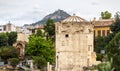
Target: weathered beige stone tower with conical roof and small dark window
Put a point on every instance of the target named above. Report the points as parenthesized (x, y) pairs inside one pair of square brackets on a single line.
[(74, 44)]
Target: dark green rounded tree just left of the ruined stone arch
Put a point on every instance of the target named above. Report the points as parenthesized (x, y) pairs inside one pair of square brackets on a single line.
[(12, 37)]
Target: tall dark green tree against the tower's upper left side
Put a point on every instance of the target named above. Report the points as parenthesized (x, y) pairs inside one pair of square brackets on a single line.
[(50, 29)]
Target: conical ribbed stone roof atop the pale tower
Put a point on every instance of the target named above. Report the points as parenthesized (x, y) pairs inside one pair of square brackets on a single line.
[(74, 18)]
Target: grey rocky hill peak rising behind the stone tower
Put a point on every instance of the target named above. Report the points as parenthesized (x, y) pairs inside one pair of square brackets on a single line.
[(56, 16)]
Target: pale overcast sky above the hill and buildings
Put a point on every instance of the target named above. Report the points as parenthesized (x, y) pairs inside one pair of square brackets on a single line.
[(21, 12)]
